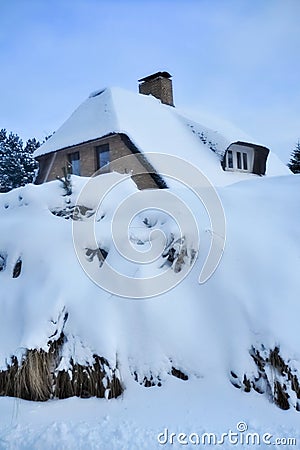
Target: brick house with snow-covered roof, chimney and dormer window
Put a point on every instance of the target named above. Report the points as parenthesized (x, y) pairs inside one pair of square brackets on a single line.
[(113, 123)]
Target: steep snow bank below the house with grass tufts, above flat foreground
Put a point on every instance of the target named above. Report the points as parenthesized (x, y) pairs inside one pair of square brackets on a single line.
[(240, 327)]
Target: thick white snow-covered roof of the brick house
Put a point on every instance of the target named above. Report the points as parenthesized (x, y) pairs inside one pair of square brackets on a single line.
[(152, 127)]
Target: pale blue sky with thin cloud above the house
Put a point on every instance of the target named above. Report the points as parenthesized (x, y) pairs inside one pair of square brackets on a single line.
[(235, 59)]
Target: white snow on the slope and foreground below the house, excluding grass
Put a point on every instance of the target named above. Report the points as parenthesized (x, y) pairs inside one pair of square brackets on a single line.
[(206, 331)]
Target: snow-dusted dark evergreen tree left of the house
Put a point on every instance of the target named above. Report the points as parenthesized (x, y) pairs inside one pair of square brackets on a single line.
[(17, 165)]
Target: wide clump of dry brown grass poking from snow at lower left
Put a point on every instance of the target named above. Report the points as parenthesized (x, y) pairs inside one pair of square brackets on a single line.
[(37, 379)]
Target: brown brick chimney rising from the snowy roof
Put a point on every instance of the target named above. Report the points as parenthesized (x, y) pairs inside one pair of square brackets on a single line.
[(159, 85)]
